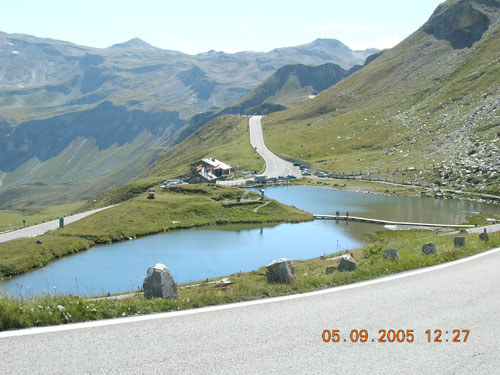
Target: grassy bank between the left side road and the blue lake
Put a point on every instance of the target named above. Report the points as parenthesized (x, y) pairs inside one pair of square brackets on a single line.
[(181, 207)]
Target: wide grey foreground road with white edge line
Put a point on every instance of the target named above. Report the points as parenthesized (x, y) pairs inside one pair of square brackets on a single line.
[(284, 335)]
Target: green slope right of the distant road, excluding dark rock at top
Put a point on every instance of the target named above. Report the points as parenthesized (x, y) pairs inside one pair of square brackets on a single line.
[(420, 102)]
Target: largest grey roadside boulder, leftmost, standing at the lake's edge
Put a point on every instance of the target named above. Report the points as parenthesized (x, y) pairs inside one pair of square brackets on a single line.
[(159, 283)]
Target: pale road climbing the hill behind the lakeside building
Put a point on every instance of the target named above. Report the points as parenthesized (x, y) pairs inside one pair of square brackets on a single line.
[(275, 166)]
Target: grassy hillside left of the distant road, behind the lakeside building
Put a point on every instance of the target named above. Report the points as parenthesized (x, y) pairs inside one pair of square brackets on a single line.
[(225, 138)]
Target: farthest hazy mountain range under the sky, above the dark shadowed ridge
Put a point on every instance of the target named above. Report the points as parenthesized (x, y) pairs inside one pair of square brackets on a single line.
[(40, 78)]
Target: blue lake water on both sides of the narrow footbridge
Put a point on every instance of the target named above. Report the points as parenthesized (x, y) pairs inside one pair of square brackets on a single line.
[(196, 254)]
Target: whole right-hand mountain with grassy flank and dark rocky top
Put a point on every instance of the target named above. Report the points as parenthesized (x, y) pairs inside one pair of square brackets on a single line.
[(432, 100)]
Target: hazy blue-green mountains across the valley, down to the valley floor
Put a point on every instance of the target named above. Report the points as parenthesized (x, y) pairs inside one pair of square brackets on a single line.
[(74, 115)]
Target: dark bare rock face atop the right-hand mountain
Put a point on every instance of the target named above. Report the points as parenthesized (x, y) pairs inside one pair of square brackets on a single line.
[(461, 23)]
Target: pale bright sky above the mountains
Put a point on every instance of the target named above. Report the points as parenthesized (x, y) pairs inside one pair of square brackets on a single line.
[(193, 26)]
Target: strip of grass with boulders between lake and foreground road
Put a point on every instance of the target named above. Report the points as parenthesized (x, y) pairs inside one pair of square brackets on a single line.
[(311, 275)]
